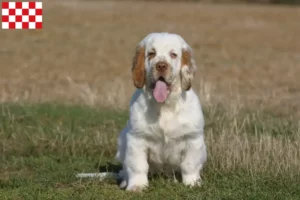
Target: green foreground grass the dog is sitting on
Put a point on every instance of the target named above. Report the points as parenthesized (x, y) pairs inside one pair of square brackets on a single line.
[(43, 146)]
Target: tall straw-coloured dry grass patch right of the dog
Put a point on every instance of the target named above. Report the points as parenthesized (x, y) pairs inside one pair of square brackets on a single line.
[(254, 142)]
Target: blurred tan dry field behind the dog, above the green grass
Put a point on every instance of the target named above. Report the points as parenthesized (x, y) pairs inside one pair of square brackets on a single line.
[(247, 51)]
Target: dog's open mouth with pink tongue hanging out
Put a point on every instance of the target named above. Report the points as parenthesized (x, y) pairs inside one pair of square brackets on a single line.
[(161, 89)]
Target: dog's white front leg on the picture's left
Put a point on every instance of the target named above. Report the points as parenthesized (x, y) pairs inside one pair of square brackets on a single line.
[(136, 164)]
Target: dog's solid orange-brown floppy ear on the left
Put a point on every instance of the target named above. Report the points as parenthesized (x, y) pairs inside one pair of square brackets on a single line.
[(138, 67)]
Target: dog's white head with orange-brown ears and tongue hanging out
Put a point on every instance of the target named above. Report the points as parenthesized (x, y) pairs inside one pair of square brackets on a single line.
[(163, 62)]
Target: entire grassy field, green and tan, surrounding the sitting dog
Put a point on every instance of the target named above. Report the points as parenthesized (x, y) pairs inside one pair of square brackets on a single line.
[(65, 90)]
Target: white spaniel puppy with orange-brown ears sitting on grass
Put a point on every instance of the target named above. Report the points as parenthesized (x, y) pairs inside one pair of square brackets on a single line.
[(165, 127)]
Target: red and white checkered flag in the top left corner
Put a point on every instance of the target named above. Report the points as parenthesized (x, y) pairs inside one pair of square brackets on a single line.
[(22, 15)]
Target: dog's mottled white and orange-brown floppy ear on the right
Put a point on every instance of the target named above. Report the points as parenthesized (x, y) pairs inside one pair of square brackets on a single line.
[(188, 68)]
